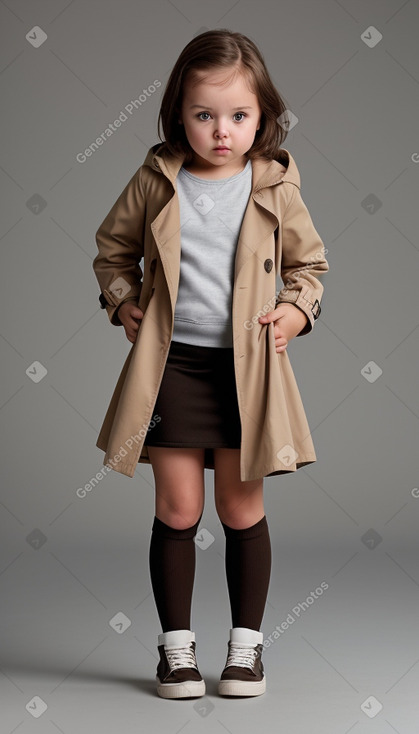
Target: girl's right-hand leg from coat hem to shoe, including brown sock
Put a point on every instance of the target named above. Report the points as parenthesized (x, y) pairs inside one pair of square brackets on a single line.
[(248, 550)]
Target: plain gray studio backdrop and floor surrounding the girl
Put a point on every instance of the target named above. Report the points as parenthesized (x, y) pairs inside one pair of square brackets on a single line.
[(70, 564)]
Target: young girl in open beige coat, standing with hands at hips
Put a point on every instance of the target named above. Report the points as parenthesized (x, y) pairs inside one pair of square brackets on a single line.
[(216, 213)]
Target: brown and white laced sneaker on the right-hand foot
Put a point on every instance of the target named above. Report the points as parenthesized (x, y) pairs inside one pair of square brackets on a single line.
[(243, 674)]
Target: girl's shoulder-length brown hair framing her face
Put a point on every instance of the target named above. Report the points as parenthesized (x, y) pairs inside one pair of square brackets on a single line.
[(214, 50)]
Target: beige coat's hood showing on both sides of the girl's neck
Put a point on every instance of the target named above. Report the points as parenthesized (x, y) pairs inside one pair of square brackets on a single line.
[(265, 173)]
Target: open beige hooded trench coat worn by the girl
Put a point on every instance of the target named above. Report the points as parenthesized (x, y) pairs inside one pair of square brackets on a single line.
[(277, 236)]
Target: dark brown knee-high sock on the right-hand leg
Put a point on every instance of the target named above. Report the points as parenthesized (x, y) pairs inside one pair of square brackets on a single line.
[(248, 569)]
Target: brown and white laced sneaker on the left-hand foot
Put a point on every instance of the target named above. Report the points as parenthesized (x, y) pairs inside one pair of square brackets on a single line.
[(177, 671)]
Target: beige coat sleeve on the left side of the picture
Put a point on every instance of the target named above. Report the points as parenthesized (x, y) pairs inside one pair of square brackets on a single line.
[(121, 247)]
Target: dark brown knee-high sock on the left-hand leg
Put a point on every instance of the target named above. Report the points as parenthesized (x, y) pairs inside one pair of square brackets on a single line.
[(172, 572)]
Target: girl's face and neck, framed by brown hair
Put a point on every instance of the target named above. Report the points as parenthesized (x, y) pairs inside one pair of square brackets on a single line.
[(213, 116)]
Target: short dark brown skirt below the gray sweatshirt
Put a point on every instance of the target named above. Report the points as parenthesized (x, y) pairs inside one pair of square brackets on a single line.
[(197, 399)]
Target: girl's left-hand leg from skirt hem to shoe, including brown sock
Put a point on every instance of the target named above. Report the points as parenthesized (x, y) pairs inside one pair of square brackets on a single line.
[(180, 491)]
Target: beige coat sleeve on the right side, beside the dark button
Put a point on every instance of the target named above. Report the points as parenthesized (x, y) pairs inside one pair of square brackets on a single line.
[(302, 261)]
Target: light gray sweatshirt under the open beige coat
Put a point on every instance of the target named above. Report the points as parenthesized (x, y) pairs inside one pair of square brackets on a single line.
[(211, 215)]
